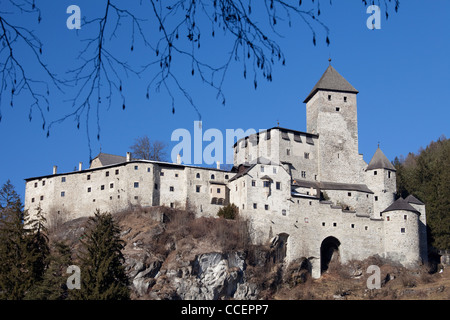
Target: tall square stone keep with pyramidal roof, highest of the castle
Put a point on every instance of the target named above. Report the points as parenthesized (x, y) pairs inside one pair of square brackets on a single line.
[(331, 113)]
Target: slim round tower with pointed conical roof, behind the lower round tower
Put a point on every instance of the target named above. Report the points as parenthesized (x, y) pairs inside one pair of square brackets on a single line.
[(380, 178)]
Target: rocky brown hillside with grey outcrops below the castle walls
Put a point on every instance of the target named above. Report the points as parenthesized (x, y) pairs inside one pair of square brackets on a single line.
[(170, 254)]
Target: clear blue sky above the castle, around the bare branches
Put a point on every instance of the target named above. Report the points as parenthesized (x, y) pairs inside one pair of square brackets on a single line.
[(401, 71)]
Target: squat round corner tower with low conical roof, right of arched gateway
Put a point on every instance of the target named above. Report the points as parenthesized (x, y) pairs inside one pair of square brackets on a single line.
[(401, 227)]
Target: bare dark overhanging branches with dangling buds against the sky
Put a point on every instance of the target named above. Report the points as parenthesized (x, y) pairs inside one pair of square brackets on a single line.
[(170, 30)]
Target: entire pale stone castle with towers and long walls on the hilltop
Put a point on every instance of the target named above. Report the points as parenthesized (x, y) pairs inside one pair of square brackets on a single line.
[(311, 193)]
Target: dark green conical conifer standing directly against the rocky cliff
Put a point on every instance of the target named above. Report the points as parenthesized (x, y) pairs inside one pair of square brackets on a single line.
[(103, 275)]
